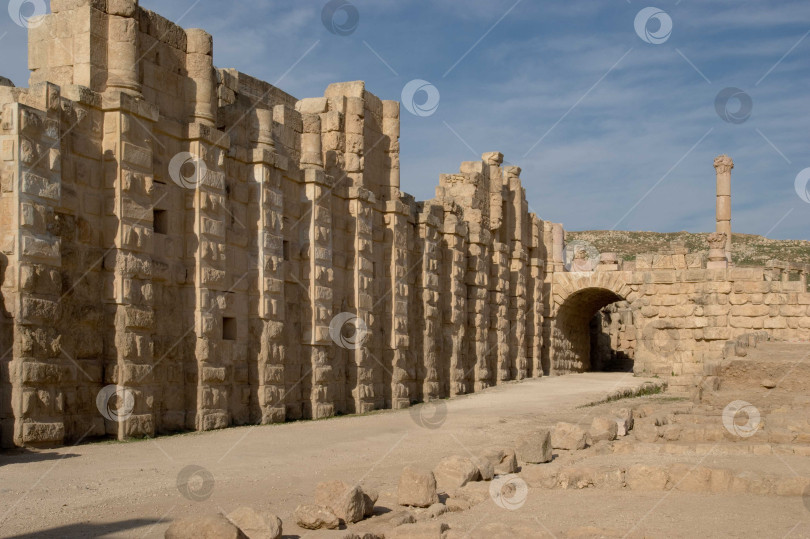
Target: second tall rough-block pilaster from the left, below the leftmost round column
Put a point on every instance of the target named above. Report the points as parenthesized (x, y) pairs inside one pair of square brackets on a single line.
[(128, 124)]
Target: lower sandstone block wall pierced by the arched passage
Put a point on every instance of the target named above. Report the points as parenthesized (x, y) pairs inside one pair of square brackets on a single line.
[(682, 317)]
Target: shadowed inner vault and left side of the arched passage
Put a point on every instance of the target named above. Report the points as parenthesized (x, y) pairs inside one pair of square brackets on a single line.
[(571, 328)]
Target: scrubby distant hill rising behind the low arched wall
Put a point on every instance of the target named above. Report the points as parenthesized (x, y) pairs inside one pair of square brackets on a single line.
[(748, 250)]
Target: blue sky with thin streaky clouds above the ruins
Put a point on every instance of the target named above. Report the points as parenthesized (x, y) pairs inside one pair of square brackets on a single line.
[(610, 131)]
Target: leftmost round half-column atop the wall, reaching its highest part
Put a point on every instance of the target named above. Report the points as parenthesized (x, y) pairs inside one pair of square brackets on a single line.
[(122, 47)]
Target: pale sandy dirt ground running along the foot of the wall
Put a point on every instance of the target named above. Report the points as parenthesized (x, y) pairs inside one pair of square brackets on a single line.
[(130, 489)]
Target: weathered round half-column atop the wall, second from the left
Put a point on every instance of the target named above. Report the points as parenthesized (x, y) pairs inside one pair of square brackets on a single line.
[(200, 81)]
